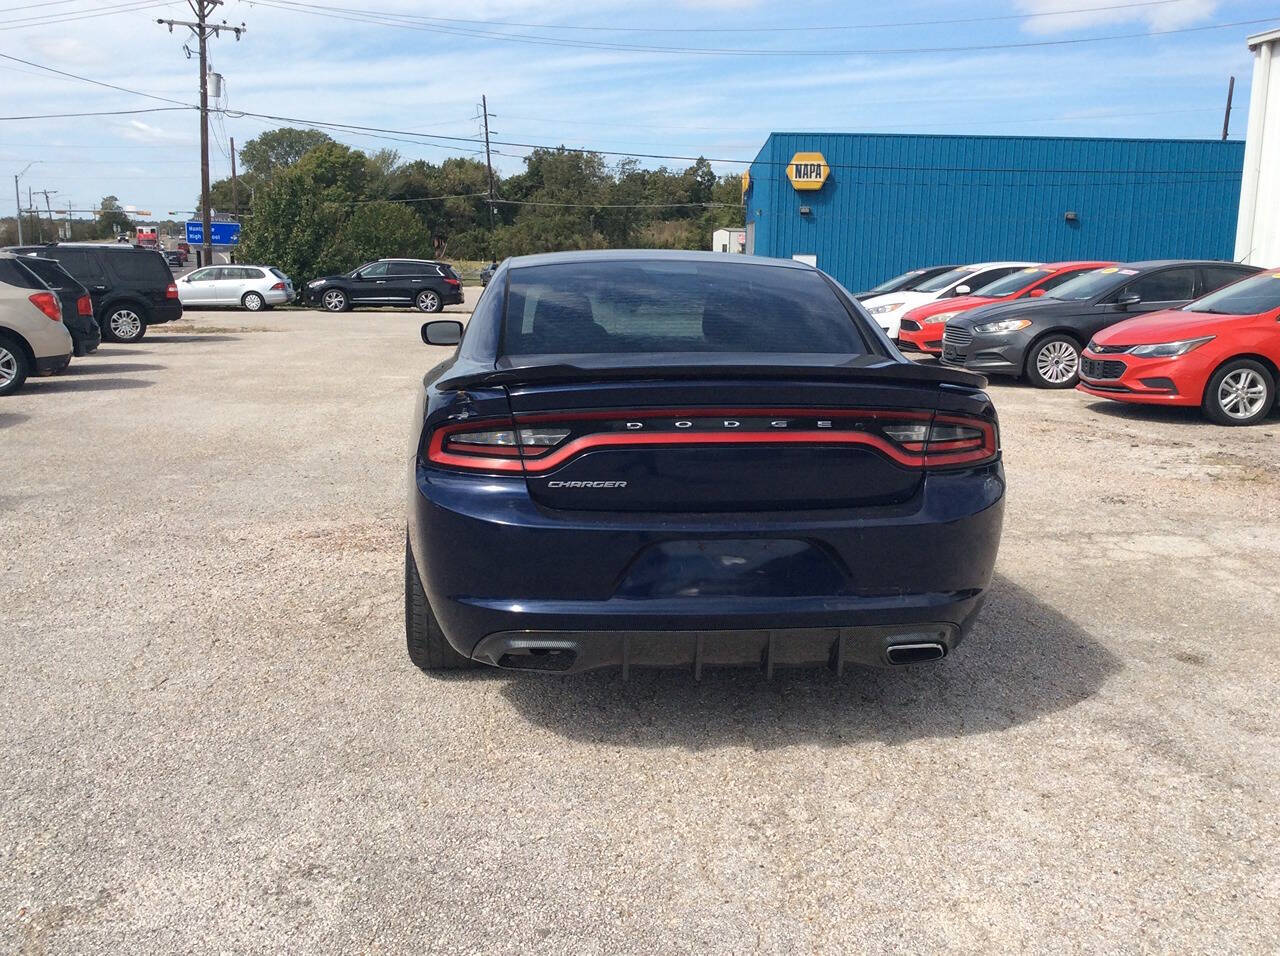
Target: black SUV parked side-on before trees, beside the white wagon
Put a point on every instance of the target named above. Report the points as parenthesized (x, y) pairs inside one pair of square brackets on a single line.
[(423, 283)]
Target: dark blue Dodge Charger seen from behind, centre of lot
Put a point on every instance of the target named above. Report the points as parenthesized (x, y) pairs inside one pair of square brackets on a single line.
[(680, 459)]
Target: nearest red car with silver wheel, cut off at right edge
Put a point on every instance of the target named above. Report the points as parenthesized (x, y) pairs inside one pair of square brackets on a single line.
[(1220, 353)]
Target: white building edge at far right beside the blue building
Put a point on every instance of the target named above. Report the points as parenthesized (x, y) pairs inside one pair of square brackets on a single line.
[(1258, 232)]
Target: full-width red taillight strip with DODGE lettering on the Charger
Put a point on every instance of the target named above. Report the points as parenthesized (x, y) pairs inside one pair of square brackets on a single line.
[(537, 445)]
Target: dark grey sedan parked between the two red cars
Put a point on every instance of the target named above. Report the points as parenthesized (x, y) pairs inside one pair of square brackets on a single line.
[(1043, 340)]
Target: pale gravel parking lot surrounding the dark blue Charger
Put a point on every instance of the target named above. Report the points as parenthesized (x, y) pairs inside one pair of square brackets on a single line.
[(212, 739)]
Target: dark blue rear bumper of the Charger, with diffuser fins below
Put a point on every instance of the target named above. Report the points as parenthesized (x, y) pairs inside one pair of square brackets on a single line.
[(506, 578)]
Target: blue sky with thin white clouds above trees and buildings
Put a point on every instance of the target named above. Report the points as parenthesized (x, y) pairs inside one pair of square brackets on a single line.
[(683, 79)]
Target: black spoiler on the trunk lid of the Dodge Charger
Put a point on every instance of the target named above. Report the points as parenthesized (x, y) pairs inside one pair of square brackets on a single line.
[(566, 373)]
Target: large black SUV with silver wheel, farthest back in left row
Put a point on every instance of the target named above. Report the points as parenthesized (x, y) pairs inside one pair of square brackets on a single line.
[(131, 287)]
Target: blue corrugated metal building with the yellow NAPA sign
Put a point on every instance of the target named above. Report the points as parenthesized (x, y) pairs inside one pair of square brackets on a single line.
[(893, 203)]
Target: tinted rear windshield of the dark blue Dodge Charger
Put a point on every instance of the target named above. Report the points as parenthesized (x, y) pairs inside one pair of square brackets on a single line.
[(674, 307)]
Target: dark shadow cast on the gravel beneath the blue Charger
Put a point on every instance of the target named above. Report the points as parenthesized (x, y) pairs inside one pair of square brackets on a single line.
[(1022, 661)]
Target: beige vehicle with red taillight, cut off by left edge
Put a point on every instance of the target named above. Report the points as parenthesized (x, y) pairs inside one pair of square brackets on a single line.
[(33, 336)]
